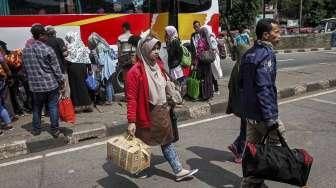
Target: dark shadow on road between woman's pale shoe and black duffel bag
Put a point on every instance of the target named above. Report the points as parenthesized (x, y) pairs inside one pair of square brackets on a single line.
[(209, 173)]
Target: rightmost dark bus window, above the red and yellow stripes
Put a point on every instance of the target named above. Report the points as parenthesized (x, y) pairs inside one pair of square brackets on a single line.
[(189, 6)]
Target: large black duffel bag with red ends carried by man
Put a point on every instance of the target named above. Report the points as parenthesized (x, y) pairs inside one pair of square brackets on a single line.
[(277, 163)]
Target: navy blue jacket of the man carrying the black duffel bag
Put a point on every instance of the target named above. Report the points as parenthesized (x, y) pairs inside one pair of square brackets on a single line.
[(257, 81)]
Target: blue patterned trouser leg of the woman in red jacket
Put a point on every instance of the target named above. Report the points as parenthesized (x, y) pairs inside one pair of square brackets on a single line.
[(170, 154)]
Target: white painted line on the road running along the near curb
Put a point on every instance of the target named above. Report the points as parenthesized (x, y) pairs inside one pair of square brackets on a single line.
[(180, 126)]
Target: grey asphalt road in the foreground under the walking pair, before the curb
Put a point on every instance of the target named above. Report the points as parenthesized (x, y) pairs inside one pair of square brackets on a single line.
[(310, 121)]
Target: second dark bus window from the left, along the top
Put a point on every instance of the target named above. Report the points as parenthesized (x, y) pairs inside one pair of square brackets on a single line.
[(111, 6)]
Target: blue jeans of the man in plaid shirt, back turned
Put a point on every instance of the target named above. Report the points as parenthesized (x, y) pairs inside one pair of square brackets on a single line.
[(51, 99)]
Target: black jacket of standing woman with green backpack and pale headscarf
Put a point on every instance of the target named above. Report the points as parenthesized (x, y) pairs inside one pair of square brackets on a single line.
[(175, 53)]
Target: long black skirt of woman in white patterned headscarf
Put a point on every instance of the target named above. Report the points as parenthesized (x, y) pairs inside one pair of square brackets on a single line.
[(79, 92)]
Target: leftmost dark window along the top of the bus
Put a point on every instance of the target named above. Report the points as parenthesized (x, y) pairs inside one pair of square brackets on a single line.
[(40, 7)]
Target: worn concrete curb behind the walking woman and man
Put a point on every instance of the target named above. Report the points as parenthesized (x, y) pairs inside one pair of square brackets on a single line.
[(46, 141)]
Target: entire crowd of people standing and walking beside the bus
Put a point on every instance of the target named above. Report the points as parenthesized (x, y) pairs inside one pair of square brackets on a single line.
[(51, 67)]
